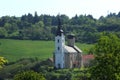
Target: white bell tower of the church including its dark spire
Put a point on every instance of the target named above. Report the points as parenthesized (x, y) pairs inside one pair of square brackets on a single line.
[(59, 47)]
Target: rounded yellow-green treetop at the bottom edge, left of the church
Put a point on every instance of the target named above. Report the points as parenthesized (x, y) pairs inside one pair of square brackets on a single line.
[(29, 75)]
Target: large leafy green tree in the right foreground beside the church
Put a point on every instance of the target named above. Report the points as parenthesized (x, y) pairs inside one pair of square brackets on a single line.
[(107, 60)]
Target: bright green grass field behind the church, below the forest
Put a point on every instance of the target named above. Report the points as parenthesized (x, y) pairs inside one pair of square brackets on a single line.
[(14, 50)]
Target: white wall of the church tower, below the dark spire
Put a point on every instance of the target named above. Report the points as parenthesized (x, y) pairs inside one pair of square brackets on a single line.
[(59, 51)]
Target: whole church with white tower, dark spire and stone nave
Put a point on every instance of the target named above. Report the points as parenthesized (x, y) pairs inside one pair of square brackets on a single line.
[(66, 56)]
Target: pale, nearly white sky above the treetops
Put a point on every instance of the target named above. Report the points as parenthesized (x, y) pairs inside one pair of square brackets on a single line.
[(96, 8)]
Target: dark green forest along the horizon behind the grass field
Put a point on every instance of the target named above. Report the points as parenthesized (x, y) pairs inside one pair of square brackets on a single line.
[(34, 27)]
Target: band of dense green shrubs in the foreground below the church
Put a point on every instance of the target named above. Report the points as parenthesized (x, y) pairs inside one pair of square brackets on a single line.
[(22, 69)]
